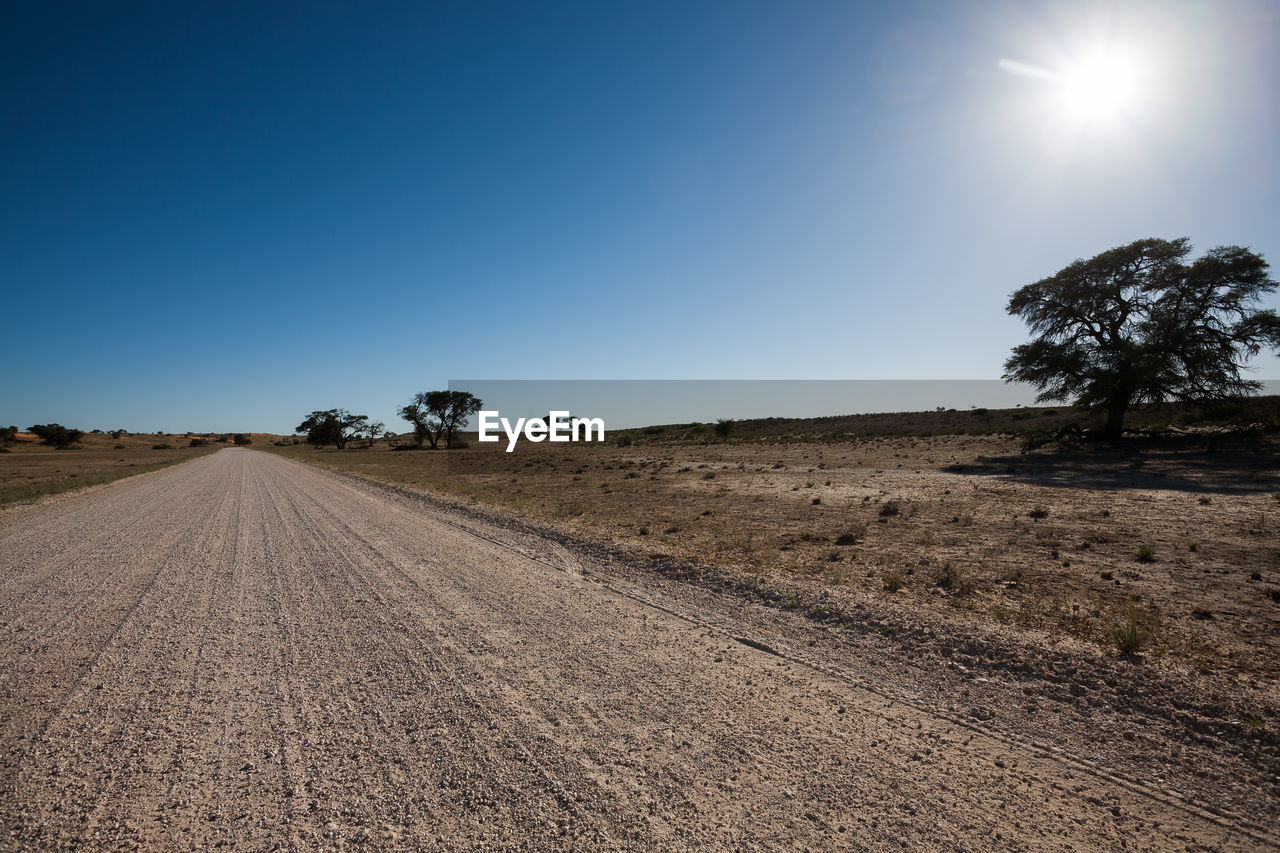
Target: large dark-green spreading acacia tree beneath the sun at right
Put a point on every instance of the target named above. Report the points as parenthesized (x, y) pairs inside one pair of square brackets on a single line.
[(1141, 325)]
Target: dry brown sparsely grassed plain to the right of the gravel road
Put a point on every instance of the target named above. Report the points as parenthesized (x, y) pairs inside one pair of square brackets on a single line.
[(1062, 574)]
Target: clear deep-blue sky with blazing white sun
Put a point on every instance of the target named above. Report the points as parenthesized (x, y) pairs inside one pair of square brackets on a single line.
[(223, 216)]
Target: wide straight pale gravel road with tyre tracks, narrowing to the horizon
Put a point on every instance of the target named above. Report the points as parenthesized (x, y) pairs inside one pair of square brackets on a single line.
[(248, 653)]
